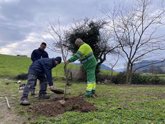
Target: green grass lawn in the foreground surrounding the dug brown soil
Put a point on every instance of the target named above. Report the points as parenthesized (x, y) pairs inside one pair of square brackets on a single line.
[(117, 104)]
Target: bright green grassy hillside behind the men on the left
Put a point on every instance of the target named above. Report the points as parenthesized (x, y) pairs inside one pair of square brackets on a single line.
[(11, 66)]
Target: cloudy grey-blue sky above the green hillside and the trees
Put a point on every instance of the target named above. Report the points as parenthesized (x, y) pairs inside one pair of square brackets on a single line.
[(23, 23)]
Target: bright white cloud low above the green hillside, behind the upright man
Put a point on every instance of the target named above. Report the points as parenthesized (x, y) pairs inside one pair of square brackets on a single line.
[(25, 47)]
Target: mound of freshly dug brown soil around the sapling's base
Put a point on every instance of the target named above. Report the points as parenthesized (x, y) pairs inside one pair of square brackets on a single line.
[(58, 106)]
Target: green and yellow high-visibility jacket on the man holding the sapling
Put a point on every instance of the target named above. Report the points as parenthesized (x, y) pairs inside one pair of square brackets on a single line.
[(85, 55)]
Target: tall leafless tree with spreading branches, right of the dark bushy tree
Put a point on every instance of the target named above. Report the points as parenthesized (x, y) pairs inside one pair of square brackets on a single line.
[(137, 32)]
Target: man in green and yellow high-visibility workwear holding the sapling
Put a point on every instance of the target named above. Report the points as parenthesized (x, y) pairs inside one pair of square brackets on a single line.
[(88, 60)]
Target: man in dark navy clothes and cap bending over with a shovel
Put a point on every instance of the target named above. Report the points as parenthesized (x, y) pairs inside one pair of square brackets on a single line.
[(41, 70)]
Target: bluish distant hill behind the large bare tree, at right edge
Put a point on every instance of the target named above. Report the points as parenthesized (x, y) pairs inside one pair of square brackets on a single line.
[(149, 66)]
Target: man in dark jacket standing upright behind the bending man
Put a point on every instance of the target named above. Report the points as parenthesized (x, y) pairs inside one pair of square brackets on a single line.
[(38, 54)]
